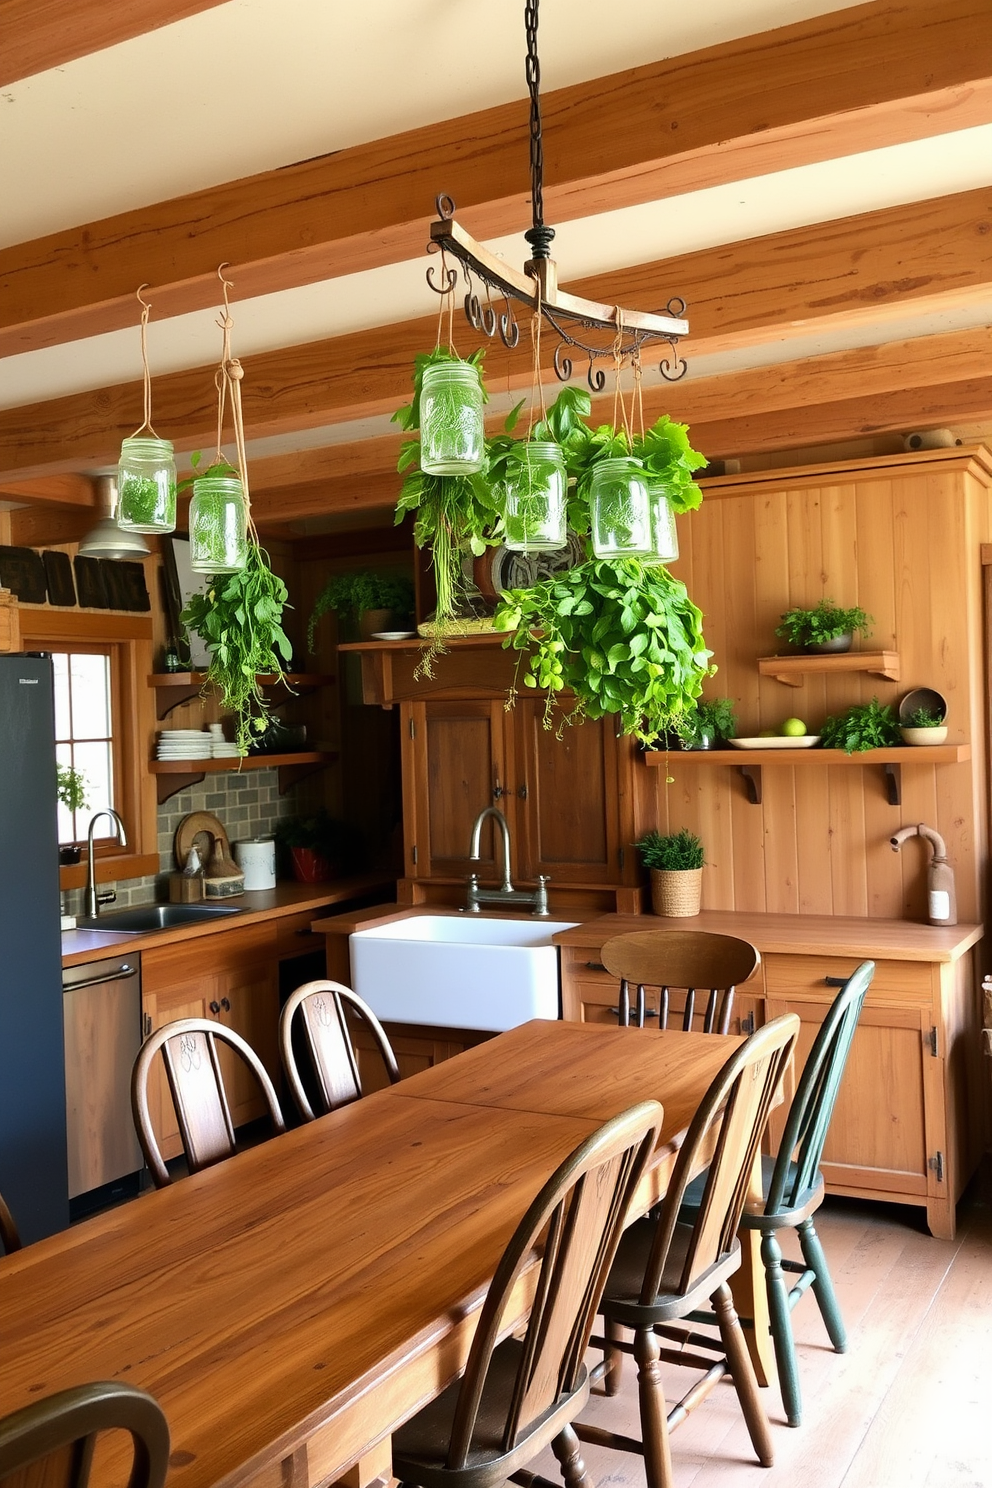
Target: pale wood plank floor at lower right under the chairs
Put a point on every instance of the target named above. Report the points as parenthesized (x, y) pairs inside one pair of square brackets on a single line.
[(908, 1407)]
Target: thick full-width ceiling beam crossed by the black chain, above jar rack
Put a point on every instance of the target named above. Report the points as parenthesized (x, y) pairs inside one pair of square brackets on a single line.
[(874, 75)]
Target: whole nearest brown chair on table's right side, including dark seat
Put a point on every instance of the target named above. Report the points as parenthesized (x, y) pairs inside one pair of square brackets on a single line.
[(521, 1395)]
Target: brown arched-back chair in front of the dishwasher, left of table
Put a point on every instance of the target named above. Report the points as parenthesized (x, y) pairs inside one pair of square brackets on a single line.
[(193, 1066)]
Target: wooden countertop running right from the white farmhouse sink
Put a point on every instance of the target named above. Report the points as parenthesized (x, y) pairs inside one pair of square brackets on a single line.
[(798, 935)]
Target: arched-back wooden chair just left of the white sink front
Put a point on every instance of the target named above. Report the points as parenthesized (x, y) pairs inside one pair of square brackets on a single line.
[(322, 1008)]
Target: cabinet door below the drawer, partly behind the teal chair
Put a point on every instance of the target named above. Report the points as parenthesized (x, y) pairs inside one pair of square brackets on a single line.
[(878, 1138)]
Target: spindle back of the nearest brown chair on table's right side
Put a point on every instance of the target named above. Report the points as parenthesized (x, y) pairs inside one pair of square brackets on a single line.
[(581, 1212)]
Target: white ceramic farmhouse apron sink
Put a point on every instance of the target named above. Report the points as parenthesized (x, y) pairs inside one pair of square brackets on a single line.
[(459, 971)]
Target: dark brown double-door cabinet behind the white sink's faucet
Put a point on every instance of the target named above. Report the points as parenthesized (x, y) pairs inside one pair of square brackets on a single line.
[(561, 797)]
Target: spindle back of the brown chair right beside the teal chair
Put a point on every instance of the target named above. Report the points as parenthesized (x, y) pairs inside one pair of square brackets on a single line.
[(727, 1130)]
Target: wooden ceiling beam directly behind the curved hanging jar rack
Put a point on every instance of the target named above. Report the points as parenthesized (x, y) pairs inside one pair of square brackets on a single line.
[(866, 270)]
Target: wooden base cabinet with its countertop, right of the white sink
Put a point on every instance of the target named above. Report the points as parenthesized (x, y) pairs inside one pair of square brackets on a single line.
[(908, 1126)]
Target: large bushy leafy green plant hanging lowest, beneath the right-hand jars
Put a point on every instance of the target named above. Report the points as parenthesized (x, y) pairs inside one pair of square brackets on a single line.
[(621, 638)]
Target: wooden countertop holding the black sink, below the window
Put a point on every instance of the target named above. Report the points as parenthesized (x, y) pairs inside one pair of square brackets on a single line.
[(267, 904)]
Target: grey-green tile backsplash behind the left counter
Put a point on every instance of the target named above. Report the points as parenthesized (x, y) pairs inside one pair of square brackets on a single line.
[(248, 804)]
